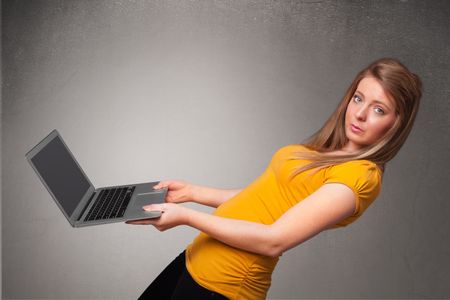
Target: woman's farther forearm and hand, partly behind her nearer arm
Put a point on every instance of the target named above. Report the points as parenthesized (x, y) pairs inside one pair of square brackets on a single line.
[(180, 191)]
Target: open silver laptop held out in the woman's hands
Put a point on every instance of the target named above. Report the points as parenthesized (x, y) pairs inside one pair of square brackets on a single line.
[(81, 203)]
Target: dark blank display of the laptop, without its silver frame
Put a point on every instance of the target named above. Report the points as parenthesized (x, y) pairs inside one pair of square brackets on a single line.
[(61, 174)]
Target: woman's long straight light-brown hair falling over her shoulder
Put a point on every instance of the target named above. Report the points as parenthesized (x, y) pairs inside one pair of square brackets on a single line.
[(403, 86)]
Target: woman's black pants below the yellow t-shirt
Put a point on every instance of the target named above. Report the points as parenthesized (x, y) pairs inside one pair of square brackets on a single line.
[(175, 283)]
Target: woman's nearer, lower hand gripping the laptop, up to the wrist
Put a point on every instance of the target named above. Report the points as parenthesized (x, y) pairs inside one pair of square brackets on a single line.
[(171, 215)]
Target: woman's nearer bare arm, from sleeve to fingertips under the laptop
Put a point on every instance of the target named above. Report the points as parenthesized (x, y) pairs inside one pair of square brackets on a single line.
[(327, 206)]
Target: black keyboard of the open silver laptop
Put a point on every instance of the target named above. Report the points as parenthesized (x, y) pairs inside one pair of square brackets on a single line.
[(110, 204)]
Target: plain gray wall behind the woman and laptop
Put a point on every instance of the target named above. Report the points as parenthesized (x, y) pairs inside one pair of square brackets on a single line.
[(206, 91)]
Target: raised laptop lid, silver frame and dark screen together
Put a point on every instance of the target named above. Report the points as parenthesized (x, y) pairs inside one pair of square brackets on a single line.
[(61, 175)]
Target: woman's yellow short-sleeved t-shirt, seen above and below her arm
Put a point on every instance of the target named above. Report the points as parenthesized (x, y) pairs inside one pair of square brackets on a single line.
[(239, 274)]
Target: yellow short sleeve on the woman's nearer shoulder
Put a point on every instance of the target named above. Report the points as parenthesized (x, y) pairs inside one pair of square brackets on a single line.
[(363, 177)]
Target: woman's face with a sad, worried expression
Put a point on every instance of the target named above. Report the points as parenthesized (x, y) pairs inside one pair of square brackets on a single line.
[(370, 113)]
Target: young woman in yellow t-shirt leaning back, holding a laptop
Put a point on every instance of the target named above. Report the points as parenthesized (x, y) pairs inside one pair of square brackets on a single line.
[(326, 182)]
